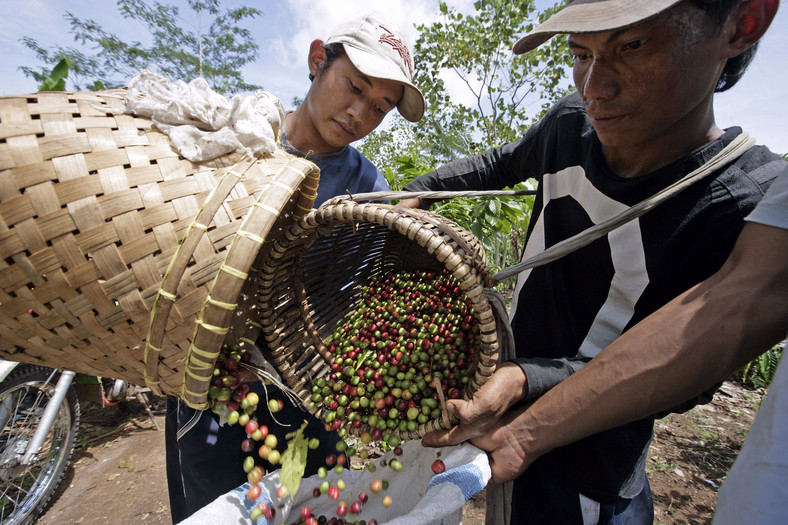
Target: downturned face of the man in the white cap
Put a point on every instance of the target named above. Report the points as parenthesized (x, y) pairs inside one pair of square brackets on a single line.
[(345, 105)]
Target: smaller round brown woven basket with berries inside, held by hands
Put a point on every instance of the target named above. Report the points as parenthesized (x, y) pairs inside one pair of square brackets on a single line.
[(314, 273)]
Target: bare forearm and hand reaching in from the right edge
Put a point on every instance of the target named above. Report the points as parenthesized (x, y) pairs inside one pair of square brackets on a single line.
[(687, 346)]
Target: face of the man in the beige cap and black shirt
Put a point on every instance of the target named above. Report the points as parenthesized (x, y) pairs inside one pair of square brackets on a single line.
[(651, 83)]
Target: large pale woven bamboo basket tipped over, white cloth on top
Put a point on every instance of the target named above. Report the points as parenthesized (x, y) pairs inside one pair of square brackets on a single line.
[(119, 257)]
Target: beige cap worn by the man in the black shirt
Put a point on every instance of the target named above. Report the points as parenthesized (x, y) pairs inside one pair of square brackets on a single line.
[(592, 16)]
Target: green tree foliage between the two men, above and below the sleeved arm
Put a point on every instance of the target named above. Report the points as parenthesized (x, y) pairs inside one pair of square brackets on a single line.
[(508, 94)]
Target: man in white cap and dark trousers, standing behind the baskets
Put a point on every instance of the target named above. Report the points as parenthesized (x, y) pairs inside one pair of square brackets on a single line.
[(359, 74)]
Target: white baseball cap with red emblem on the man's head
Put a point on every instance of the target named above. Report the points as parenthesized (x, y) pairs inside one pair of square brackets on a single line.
[(378, 49)]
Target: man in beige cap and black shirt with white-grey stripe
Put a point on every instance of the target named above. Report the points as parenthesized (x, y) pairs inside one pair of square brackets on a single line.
[(642, 118)]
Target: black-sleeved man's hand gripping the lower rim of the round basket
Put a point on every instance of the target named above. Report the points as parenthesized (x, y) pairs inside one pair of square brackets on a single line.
[(481, 413)]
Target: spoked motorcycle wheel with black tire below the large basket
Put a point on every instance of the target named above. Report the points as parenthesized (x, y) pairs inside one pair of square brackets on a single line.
[(26, 490)]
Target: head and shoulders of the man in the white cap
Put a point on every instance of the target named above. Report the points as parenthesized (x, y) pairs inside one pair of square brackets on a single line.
[(370, 73)]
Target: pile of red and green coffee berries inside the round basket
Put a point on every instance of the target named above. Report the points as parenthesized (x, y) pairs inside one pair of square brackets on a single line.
[(410, 333)]
